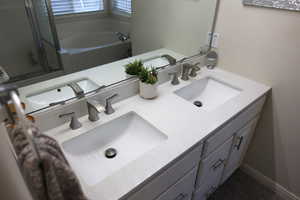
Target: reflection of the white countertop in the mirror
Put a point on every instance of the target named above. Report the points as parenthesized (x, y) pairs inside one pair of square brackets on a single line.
[(102, 75)]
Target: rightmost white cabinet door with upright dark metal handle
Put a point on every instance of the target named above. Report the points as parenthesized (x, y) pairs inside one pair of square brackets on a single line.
[(240, 146)]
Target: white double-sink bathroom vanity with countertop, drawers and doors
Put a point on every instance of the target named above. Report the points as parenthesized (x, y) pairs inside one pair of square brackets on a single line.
[(167, 148)]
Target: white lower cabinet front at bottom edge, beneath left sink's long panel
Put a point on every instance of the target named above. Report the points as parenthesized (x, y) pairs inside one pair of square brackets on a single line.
[(183, 189)]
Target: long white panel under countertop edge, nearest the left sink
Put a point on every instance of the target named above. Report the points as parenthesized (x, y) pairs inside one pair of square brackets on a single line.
[(169, 177)]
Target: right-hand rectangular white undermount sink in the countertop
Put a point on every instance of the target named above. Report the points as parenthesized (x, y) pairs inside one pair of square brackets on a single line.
[(208, 93)]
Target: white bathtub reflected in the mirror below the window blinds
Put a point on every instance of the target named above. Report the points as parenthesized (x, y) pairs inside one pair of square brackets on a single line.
[(86, 50)]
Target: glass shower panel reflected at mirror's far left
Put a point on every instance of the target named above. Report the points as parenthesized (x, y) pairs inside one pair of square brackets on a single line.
[(18, 53)]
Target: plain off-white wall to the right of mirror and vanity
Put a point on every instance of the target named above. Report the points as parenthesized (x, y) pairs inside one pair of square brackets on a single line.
[(264, 45)]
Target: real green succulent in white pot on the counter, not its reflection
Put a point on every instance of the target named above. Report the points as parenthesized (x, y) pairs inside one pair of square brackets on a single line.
[(148, 83)]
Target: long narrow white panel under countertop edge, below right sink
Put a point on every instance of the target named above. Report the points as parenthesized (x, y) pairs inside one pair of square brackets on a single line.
[(232, 127)]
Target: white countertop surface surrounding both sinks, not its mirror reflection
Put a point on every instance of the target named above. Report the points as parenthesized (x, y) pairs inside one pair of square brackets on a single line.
[(184, 125)]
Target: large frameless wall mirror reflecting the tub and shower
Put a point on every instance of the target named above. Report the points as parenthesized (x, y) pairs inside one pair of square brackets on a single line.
[(56, 49)]
